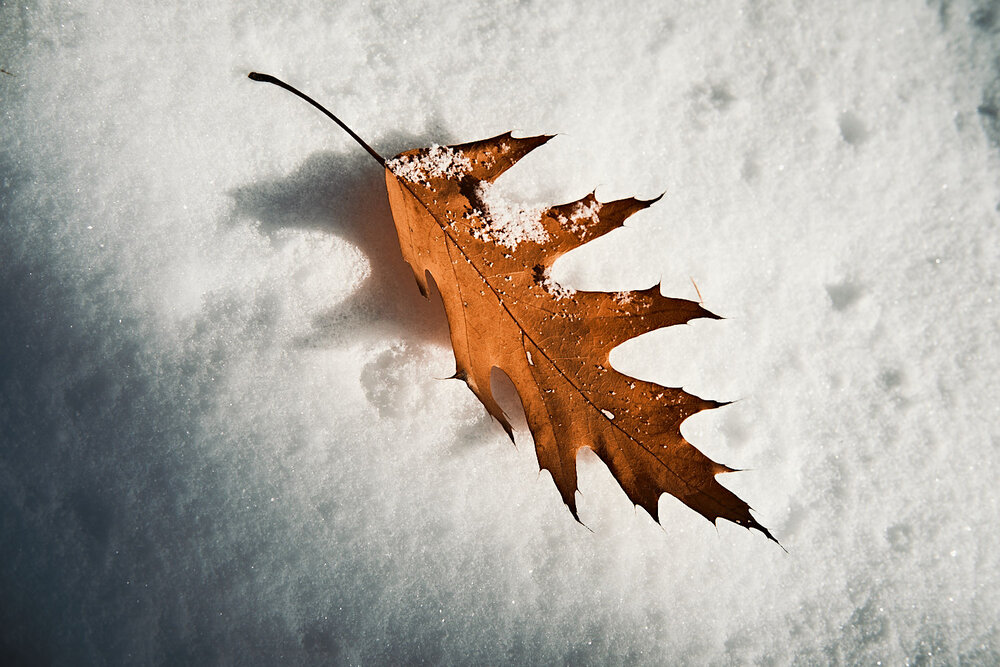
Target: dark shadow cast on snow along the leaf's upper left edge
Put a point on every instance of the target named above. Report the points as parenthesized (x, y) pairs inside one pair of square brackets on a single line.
[(343, 194)]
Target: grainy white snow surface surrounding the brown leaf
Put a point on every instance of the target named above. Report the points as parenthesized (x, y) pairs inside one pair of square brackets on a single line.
[(223, 436)]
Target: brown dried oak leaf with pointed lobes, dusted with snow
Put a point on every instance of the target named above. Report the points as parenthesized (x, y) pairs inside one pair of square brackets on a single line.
[(491, 263)]
